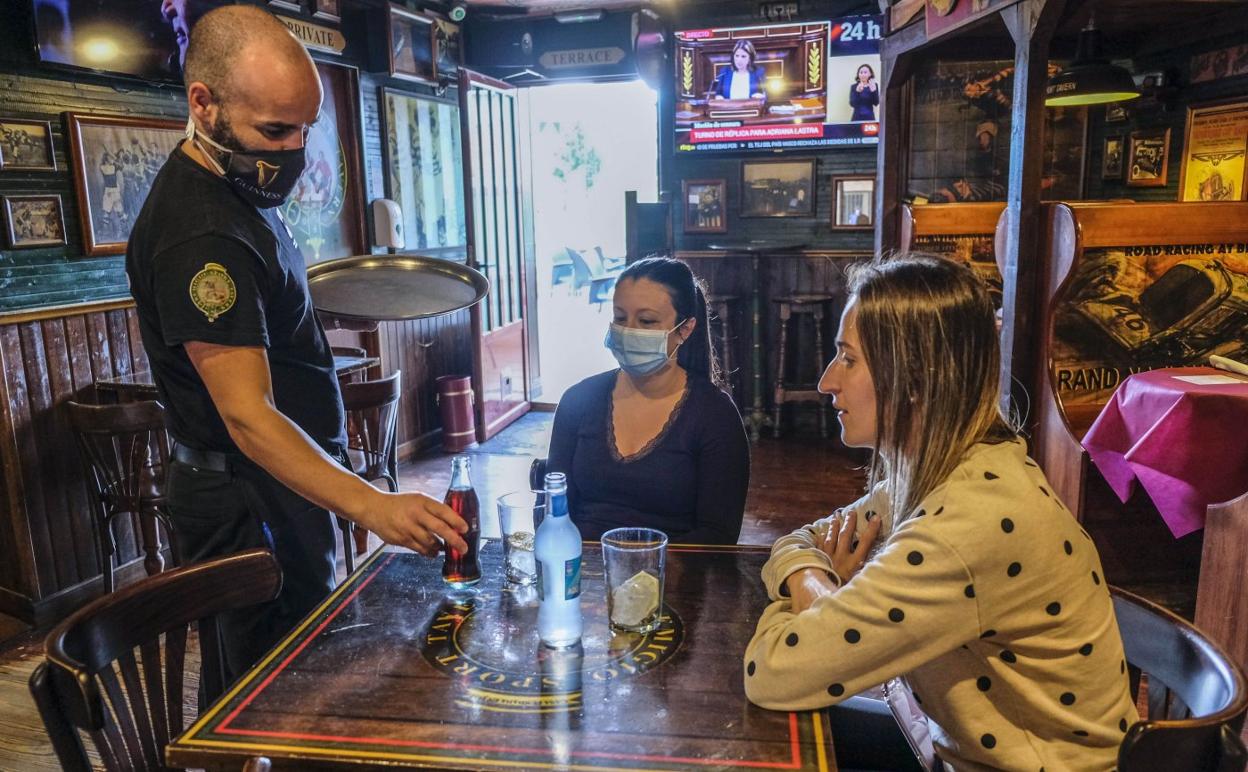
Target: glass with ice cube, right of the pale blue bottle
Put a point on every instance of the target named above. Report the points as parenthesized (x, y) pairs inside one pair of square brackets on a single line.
[(635, 562)]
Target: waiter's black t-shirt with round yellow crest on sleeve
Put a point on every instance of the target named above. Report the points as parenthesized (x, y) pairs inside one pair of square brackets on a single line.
[(207, 266)]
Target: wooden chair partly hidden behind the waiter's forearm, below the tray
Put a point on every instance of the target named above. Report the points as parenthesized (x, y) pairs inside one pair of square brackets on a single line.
[(373, 425)]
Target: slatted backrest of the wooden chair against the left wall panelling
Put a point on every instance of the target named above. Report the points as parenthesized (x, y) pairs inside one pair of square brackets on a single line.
[(125, 448)]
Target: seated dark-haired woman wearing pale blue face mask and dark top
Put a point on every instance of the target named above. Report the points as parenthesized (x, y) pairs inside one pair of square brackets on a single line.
[(656, 443)]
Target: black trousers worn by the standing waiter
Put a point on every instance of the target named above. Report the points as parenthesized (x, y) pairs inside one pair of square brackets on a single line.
[(241, 507)]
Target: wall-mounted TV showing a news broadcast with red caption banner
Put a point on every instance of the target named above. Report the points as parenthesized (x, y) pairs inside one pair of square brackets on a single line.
[(801, 85)]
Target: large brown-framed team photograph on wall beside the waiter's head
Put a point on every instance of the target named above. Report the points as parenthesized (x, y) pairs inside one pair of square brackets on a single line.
[(115, 160)]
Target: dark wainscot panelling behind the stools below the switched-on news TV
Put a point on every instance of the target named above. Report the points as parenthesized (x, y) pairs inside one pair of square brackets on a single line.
[(798, 274)]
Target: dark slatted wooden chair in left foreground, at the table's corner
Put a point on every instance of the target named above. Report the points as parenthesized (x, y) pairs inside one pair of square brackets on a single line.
[(144, 709)]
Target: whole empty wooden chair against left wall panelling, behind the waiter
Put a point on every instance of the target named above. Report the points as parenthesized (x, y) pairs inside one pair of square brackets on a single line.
[(125, 451)]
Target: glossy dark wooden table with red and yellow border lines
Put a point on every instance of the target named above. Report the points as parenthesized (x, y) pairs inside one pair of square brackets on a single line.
[(395, 670)]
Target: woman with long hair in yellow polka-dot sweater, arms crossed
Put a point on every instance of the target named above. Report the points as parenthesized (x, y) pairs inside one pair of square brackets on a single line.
[(987, 596)]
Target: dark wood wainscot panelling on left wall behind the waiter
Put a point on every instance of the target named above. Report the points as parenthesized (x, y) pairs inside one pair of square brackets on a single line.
[(48, 561)]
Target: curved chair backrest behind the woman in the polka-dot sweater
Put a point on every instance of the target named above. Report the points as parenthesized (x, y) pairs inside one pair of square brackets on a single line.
[(1196, 694)]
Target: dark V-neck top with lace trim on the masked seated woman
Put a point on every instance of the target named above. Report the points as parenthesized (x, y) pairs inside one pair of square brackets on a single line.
[(690, 482)]
